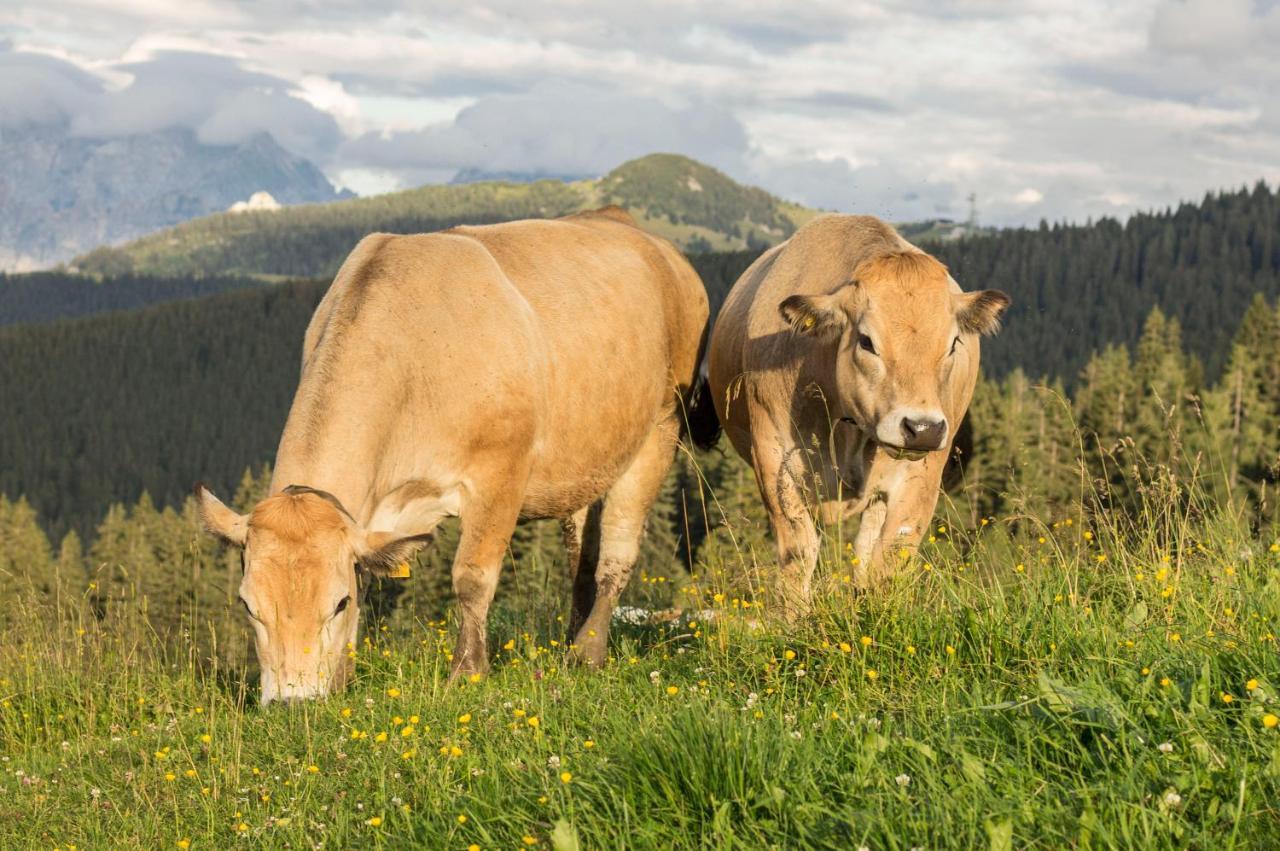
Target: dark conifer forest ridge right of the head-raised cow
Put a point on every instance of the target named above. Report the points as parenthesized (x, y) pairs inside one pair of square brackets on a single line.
[(1078, 289)]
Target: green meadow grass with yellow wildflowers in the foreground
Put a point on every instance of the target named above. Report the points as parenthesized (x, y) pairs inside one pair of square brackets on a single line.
[(1021, 685)]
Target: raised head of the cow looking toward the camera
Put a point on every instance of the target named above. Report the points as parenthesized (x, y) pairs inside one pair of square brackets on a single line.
[(906, 340)]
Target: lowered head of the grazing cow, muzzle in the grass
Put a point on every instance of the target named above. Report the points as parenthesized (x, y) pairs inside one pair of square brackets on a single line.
[(301, 556)]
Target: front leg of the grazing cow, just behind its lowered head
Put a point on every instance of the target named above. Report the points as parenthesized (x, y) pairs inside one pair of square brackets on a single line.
[(488, 521)]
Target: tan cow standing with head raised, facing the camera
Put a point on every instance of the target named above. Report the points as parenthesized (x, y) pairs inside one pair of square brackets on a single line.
[(842, 365)]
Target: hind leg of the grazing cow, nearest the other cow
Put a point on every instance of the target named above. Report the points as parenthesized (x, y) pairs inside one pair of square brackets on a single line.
[(621, 527)]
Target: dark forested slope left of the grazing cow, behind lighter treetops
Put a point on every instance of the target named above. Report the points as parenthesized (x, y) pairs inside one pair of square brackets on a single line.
[(102, 409)]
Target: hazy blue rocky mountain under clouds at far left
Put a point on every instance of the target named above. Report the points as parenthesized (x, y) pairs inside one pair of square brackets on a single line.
[(62, 195)]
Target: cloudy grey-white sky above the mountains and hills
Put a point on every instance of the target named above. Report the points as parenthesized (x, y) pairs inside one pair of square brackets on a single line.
[(1059, 109)]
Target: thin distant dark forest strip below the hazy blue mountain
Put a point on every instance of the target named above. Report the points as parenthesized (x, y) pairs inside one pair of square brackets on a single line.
[(45, 296)]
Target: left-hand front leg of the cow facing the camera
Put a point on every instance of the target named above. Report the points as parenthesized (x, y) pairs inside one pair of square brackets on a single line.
[(781, 475)]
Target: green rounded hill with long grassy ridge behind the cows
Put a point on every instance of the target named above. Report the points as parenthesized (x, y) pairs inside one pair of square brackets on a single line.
[(697, 207)]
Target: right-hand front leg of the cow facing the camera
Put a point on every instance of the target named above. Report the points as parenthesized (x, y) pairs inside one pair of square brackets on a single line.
[(897, 521)]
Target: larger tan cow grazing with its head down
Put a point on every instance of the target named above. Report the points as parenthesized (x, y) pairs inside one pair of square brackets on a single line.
[(533, 369)]
